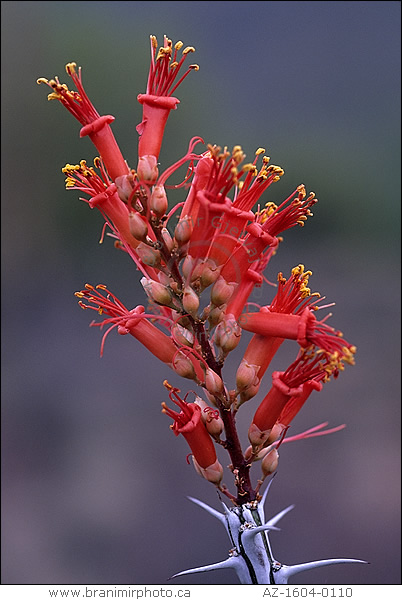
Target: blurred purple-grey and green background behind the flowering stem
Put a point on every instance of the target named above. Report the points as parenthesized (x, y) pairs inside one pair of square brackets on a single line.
[(94, 482)]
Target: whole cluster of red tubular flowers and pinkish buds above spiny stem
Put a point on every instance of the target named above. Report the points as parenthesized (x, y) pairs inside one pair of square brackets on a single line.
[(199, 262)]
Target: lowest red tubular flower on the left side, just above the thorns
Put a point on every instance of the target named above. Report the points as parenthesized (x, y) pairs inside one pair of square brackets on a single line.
[(189, 423)]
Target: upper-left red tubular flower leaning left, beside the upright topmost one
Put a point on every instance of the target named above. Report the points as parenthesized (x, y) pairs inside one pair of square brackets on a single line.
[(96, 127)]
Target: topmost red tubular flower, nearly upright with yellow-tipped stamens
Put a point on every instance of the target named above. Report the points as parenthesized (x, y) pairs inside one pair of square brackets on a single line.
[(158, 100)]
